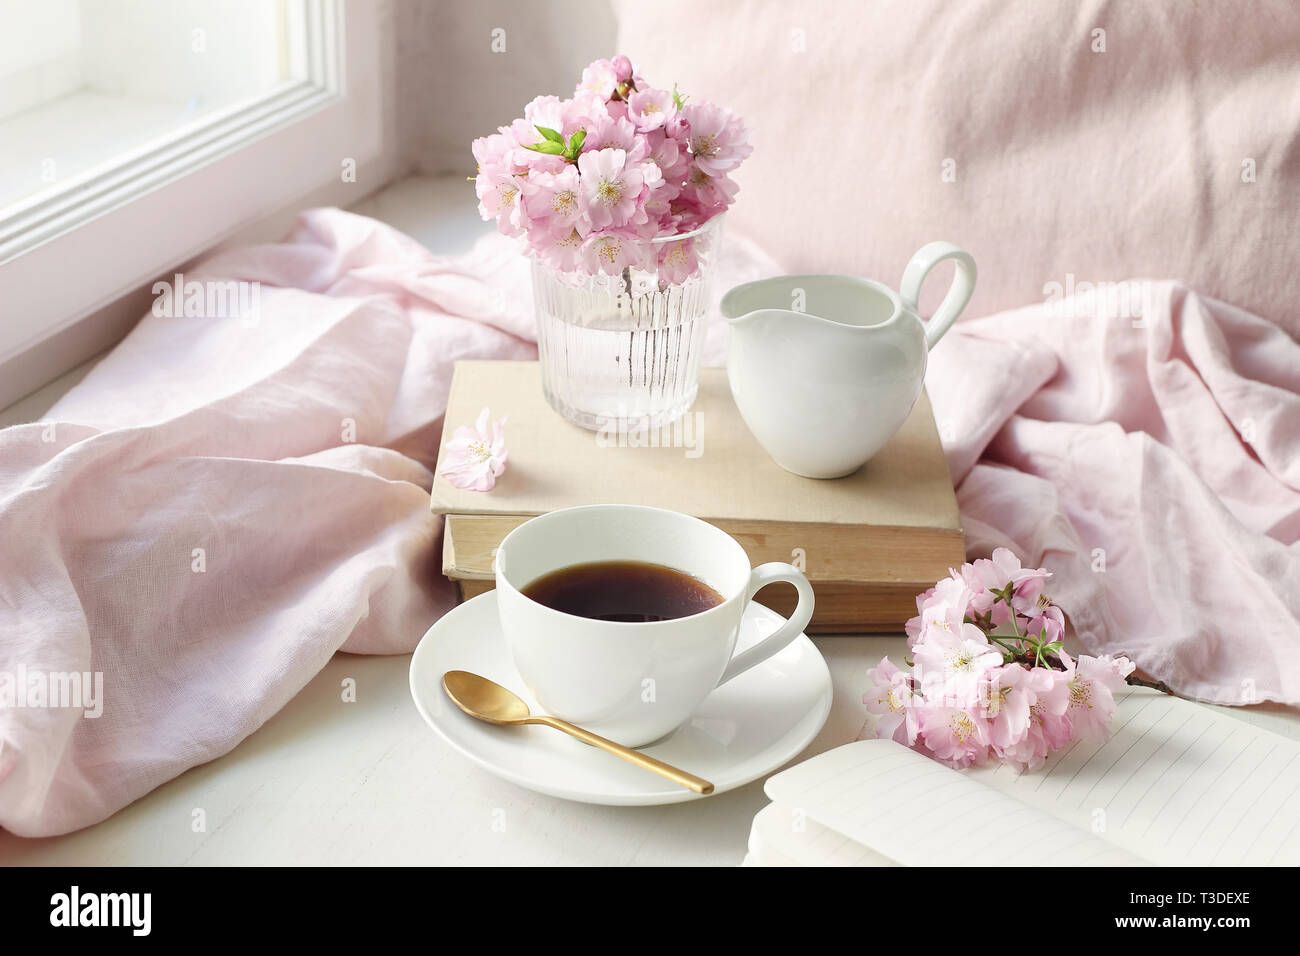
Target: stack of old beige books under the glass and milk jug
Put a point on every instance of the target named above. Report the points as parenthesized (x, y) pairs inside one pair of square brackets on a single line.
[(869, 543)]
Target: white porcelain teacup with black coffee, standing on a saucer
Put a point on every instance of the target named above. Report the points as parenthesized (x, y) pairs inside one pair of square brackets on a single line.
[(632, 682)]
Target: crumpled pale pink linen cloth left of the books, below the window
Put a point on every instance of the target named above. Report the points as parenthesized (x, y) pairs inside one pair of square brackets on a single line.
[(223, 504)]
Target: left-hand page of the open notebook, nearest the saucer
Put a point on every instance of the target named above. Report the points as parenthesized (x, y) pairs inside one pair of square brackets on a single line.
[(917, 812)]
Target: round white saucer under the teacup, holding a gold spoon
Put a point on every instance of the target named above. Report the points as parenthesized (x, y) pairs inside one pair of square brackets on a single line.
[(744, 730)]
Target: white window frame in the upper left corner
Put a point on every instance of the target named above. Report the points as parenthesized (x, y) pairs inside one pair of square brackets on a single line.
[(70, 256)]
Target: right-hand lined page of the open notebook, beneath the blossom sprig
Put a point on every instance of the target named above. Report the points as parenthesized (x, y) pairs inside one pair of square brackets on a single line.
[(1177, 784)]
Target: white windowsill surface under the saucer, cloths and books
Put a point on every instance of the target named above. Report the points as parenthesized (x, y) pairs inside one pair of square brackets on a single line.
[(367, 782)]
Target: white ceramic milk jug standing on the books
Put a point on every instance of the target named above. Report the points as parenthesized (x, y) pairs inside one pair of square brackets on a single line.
[(826, 369)]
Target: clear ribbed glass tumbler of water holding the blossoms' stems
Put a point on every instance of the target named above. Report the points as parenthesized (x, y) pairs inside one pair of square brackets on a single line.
[(621, 353)]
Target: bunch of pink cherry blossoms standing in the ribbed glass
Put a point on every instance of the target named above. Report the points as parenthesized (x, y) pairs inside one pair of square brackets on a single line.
[(591, 181)]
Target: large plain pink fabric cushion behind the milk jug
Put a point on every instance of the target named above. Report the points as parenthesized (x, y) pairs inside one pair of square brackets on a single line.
[(1069, 166)]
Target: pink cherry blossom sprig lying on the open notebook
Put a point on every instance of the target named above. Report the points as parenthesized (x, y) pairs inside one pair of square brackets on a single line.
[(990, 680)]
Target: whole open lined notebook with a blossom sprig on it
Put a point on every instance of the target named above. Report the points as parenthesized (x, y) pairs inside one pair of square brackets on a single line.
[(1177, 784)]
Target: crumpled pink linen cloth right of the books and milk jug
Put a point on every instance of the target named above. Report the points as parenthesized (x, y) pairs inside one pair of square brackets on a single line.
[(1147, 451)]
